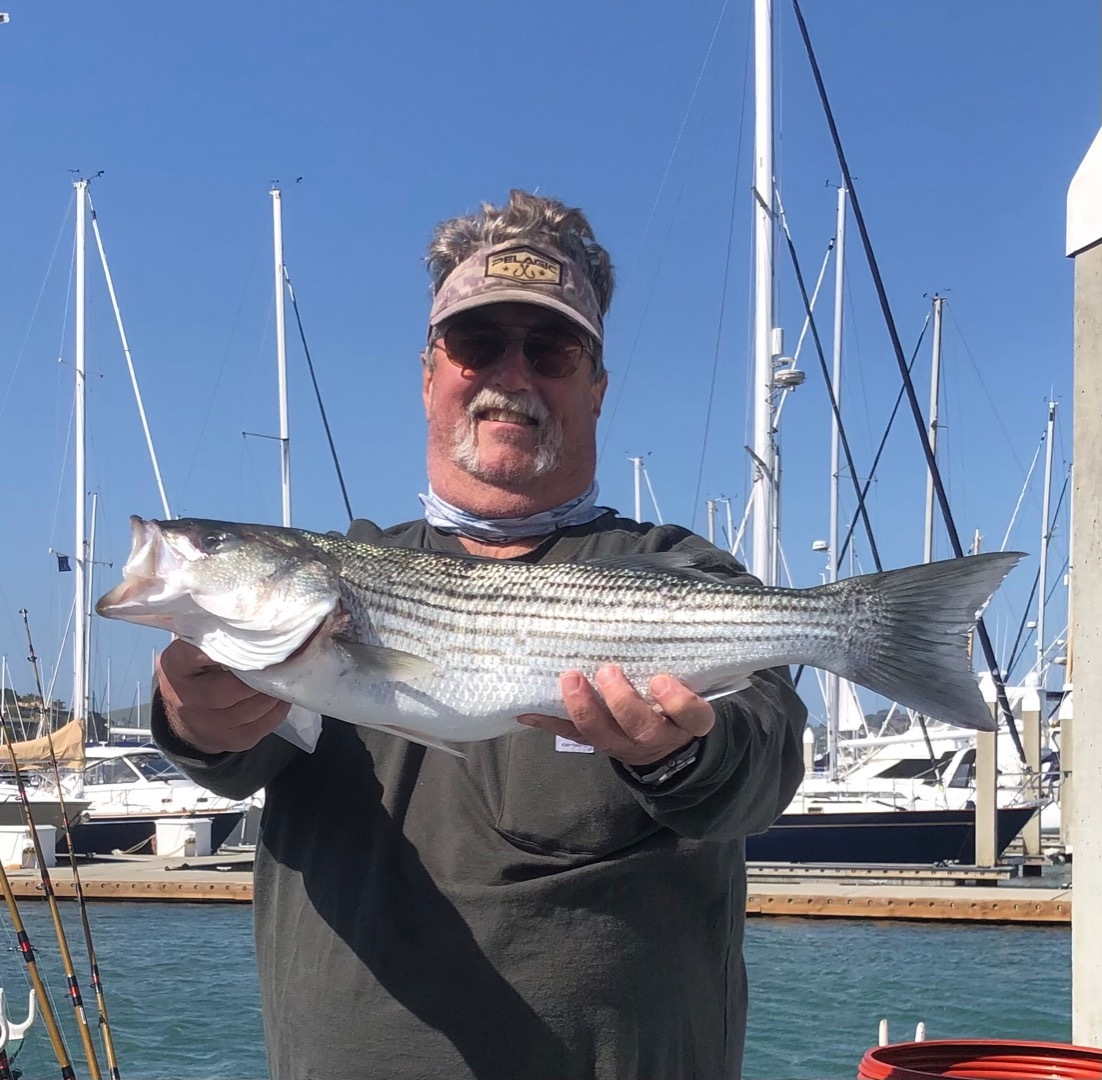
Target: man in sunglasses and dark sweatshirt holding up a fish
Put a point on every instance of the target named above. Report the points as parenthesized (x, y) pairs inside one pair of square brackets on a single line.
[(567, 903)]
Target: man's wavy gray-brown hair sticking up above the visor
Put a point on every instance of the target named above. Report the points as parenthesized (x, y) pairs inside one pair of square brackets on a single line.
[(526, 218)]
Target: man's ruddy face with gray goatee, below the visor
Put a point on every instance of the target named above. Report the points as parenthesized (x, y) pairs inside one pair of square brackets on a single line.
[(507, 426)]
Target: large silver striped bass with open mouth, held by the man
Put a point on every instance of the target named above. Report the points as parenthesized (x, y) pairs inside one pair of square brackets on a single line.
[(441, 649)]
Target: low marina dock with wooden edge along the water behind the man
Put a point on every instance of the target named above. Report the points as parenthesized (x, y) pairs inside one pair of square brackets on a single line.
[(809, 891)]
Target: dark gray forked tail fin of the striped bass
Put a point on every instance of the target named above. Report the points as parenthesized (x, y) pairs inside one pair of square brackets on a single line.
[(909, 634)]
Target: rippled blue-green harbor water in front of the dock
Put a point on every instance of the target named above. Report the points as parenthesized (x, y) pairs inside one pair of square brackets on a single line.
[(181, 989)]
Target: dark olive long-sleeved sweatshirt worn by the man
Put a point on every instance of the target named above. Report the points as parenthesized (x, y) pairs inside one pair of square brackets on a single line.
[(528, 913)]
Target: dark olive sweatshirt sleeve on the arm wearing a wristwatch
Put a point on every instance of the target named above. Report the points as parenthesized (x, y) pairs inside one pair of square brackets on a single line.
[(750, 764)]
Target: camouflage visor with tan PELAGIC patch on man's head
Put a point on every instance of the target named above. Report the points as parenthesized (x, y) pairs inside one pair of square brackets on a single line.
[(521, 273)]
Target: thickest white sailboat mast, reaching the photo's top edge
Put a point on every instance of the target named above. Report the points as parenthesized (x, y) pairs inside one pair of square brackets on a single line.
[(764, 555)]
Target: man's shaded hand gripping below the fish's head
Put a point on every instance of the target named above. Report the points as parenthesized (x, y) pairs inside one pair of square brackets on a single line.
[(211, 708)]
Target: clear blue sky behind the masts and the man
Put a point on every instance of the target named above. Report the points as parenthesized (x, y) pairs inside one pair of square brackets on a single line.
[(964, 125)]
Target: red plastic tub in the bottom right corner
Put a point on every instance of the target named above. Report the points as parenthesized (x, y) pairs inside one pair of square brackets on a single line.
[(981, 1060)]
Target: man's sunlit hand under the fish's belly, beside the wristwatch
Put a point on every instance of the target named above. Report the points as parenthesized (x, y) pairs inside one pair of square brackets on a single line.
[(621, 723)]
